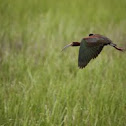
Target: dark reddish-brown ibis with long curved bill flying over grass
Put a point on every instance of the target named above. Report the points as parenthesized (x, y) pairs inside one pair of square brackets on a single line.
[(90, 48)]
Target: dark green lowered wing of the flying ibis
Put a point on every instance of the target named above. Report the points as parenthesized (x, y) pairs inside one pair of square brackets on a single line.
[(86, 53)]
